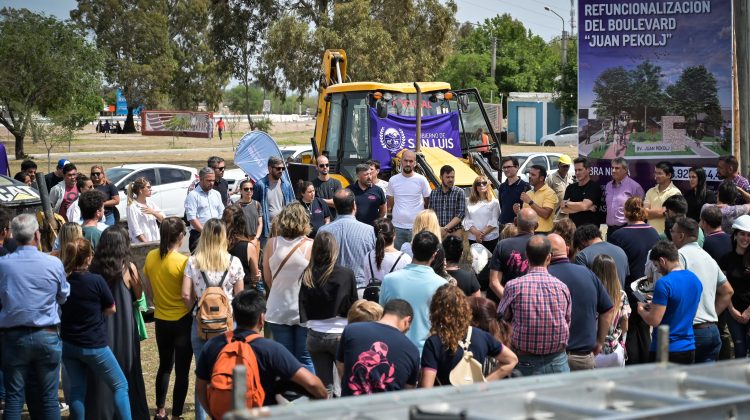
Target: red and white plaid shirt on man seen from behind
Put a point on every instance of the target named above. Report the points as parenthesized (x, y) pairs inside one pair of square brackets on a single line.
[(539, 307)]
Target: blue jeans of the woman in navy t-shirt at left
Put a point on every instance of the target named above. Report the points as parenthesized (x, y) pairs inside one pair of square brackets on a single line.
[(102, 362)]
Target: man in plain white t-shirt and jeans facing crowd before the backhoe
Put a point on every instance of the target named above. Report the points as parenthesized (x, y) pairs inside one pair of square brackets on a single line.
[(407, 193)]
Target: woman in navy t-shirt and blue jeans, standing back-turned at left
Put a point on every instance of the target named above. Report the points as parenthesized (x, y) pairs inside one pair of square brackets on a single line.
[(84, 332)]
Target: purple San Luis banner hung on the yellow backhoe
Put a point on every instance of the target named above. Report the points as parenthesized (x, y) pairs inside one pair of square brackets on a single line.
[(396, 132)]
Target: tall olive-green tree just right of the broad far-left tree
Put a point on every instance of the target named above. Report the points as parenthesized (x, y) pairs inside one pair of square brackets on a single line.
[(133, 36)]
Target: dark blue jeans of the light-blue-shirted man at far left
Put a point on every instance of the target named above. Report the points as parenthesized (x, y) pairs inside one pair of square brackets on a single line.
[(31, 351)]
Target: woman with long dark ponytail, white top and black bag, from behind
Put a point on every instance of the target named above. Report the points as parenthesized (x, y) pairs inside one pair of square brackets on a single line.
[(385, 258)]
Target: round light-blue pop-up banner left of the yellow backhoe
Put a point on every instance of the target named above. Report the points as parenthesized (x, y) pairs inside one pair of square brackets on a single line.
[(253, 152)]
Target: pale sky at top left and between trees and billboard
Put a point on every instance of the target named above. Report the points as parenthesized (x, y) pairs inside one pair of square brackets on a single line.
[(530, 12)]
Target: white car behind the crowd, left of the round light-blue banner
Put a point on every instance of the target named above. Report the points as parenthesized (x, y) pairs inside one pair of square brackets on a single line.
[(169, 185)]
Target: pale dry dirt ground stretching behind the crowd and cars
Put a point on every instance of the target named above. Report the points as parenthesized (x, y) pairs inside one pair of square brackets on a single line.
[(90, 147)]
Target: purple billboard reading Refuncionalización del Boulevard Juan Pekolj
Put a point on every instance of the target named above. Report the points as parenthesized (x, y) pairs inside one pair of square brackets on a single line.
[(655, 83)]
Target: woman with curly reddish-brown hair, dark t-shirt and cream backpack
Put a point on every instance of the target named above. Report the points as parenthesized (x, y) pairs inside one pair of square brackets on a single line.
[(451, 316)]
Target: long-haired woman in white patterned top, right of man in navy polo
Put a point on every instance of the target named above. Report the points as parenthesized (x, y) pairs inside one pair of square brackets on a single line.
[(613, 351)]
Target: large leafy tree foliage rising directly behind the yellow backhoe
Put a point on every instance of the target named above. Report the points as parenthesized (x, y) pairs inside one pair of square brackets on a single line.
[(412, 46)]
